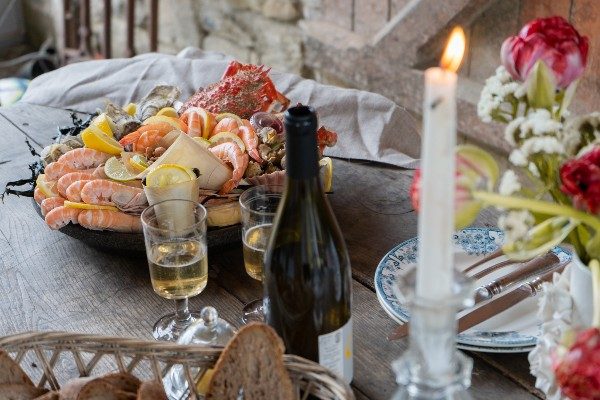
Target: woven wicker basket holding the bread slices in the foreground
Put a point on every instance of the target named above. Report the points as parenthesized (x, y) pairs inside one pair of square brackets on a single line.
[(53, 358)]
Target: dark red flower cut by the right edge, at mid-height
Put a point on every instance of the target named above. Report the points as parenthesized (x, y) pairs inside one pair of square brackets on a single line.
[(580, 179)]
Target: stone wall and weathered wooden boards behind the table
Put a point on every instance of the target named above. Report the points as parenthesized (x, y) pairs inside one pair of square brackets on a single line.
[(377, 45)]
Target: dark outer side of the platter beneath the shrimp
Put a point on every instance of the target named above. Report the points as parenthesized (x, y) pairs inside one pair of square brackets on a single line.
[(128, 242)]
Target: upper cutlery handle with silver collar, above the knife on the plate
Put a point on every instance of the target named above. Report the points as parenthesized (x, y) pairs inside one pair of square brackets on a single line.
[(526, 271)]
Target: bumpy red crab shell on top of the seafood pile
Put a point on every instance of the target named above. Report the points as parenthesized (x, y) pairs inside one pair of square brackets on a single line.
[(243, 90)]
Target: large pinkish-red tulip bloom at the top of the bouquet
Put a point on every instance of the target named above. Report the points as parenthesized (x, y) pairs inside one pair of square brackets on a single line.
[(552, 40)]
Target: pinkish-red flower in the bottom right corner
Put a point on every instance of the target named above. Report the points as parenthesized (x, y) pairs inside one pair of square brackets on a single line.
[(578, 371)]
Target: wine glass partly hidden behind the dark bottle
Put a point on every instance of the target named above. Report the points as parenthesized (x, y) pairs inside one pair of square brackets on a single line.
[(259, 205)]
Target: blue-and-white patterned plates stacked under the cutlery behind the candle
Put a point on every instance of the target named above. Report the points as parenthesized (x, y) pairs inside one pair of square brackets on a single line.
[(513, 330)]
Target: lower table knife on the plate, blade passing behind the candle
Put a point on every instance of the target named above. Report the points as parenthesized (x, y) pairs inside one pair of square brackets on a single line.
[(494, 307)]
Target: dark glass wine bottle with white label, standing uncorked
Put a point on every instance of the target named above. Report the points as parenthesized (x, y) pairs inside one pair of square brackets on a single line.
[(307, 277)]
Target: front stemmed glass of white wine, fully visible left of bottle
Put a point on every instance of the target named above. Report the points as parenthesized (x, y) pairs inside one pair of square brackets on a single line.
[(175, 237)]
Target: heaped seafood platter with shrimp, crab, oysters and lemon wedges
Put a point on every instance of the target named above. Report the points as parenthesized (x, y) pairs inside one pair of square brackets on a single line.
[(227, 136)]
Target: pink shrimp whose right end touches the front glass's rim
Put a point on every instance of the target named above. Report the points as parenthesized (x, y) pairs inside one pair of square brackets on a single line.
[(105, 192)]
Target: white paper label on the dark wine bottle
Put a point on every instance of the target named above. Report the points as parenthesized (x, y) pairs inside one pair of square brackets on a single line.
[(336, 351)]
